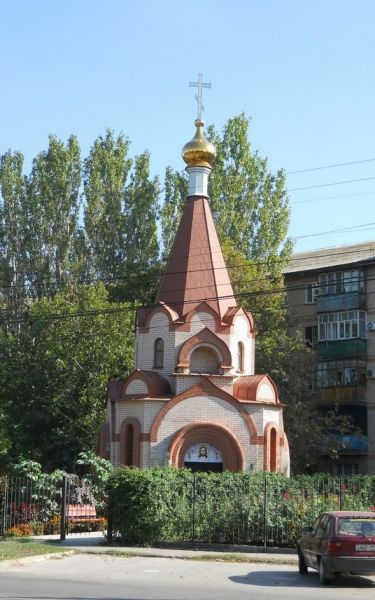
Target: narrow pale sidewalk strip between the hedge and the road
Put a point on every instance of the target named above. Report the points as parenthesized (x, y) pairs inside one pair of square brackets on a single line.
[(94, 542)]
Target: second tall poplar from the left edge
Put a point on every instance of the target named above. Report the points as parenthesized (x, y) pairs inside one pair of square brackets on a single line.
[(52, 207)]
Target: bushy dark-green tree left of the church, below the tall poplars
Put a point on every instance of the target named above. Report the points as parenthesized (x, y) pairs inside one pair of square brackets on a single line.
[(55, 373)]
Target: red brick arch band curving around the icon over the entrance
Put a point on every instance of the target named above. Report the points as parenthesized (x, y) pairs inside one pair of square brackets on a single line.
[(220, 437)]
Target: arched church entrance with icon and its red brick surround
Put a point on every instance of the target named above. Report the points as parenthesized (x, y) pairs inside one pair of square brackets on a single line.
[(203, 445)]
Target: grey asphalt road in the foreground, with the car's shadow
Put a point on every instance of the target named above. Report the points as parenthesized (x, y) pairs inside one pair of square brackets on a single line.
[(89, 577)]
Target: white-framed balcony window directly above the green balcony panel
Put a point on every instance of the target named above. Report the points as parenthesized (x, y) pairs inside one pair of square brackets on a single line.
[(342, 325)]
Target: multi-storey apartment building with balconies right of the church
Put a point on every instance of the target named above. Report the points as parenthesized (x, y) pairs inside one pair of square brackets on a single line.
[(332, 296)]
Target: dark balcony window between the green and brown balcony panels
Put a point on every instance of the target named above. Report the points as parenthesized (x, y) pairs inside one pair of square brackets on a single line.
[(341, 373)]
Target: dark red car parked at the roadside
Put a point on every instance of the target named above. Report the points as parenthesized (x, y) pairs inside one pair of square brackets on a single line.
[(340, 542)]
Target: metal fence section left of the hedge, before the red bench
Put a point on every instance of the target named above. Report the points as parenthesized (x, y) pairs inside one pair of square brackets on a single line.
[(45, 507)]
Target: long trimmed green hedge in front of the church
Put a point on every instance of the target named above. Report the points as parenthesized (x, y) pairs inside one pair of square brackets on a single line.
[(171, 505)]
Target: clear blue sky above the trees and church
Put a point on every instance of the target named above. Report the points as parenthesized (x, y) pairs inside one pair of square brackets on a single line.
[(303, 71)]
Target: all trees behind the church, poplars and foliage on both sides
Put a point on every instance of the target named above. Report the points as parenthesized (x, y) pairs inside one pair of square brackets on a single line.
[(71, 222)]
